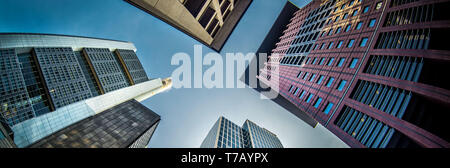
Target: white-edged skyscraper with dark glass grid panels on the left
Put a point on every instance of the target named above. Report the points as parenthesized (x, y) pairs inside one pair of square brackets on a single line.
[(50, 82)]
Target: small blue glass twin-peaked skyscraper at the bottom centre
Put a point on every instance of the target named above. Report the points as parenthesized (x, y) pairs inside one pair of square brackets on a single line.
[(226, 134)]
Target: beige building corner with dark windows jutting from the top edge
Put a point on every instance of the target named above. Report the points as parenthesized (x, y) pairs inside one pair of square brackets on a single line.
[(210, 22)]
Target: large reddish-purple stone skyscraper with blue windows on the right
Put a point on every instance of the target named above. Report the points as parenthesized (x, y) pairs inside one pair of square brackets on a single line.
[(367, 70)]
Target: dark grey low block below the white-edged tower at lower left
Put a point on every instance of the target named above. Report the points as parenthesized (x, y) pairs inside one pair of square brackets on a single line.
[(127, 125)]
